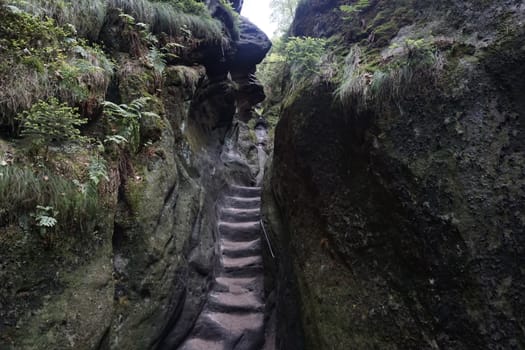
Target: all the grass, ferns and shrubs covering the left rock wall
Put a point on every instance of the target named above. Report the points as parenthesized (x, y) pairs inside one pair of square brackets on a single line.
[(52, 81)]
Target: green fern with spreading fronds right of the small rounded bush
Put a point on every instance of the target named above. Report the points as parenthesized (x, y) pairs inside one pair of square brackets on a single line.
[(127, 119)]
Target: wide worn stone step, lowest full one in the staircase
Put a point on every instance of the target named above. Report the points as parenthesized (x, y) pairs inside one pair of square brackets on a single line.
[(228, 326)]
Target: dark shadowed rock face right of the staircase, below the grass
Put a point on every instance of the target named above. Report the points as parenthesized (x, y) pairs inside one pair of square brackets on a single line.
[(404, 226)]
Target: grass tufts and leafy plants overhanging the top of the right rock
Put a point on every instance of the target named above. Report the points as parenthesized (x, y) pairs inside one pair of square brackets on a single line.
[(372, 73)]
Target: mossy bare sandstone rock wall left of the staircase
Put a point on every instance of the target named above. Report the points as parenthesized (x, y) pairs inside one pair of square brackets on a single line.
[(139, 280)]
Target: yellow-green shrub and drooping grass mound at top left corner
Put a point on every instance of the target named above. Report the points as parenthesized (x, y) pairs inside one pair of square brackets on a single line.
[(40, 60)]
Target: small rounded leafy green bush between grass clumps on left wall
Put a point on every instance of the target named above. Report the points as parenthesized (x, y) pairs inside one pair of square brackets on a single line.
[(50, 121)]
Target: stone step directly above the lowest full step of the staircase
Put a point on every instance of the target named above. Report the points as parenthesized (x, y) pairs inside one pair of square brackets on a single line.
[(232, 303)]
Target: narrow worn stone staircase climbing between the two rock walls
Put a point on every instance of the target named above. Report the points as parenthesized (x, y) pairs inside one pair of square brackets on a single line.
[(233, 316)]
